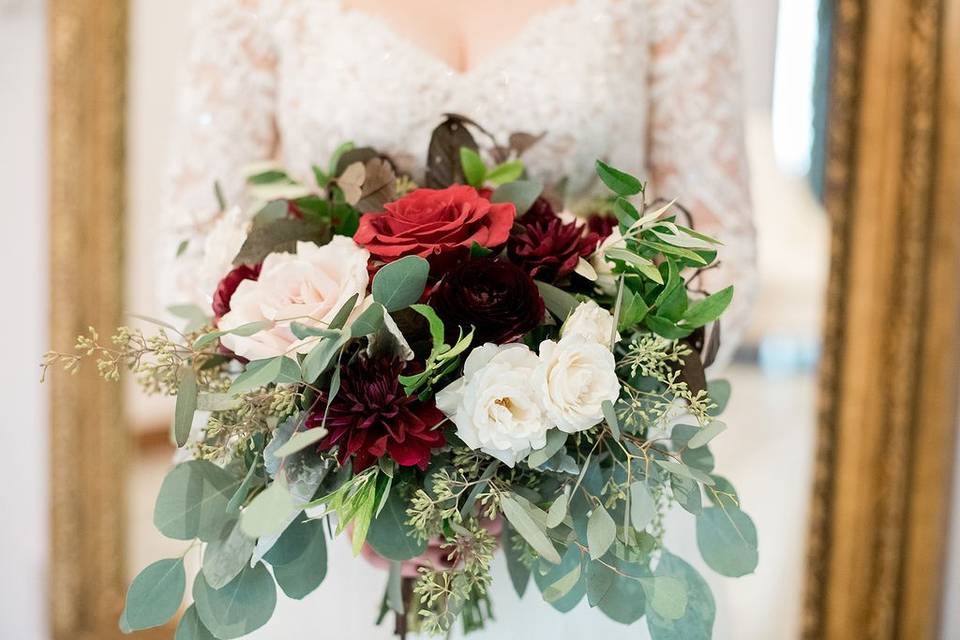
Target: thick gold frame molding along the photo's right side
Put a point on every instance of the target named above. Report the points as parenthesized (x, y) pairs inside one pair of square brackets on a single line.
[(889, 379)]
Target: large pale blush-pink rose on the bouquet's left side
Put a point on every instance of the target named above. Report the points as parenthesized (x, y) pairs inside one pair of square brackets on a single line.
[(308, 287)]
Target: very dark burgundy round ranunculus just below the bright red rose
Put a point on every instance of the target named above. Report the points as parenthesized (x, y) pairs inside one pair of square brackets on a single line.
[(498, 298)]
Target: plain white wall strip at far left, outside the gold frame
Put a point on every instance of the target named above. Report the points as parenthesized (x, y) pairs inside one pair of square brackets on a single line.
[(23, 277)]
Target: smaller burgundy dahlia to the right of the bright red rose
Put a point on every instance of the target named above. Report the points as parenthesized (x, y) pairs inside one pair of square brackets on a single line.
[(547, 247)]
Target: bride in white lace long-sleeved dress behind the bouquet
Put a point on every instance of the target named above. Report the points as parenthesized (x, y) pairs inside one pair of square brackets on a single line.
[(651, 86)]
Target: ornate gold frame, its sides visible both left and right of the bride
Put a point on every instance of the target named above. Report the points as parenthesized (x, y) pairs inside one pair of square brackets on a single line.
[(889, 378)]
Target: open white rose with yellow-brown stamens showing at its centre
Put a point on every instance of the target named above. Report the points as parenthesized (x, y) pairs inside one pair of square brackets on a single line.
[(494, 405)]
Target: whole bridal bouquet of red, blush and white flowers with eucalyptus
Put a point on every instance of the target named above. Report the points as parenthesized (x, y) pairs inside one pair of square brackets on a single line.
[(439, 373)]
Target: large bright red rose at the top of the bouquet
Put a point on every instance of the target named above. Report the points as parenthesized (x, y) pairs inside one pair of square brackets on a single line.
[(437, 224)]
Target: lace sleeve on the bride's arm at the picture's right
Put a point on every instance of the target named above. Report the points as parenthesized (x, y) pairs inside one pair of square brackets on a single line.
[(697, 152)]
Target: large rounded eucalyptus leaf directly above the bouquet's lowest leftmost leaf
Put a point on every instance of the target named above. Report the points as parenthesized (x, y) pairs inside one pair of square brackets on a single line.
[(192, 502)]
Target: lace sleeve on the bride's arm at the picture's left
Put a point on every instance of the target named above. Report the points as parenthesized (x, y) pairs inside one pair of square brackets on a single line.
[(224, 121)]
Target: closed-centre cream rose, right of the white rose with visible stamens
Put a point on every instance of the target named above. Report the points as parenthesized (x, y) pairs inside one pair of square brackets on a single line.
[(573, 379)]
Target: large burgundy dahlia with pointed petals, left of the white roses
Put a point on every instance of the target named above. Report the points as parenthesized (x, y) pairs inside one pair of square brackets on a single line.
[(371, 417)]
